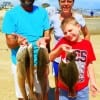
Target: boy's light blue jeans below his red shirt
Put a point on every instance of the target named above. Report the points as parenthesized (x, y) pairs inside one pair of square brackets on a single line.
[(81, 95)]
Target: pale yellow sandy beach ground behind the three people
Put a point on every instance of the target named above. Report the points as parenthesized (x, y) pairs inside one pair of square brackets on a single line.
[(7, 91)]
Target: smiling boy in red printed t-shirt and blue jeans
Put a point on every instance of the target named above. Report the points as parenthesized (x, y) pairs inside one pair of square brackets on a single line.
[(85, 57)]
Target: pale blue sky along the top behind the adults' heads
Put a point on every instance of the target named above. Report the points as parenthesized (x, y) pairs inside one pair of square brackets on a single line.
[(85, 4)]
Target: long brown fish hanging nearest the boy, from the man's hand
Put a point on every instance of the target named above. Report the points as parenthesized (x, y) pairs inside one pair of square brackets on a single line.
[(42, 70)]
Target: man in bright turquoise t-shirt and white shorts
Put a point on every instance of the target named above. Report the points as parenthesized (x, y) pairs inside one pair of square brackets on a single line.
[(22, 25)]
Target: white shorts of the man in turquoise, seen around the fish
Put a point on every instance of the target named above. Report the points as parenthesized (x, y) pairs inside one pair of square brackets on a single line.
[(37, 88)]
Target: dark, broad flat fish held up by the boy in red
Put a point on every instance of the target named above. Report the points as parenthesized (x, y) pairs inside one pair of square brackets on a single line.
[(69, 74)]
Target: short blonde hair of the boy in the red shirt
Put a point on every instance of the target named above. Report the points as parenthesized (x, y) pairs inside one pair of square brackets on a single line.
[(68, 20)]
